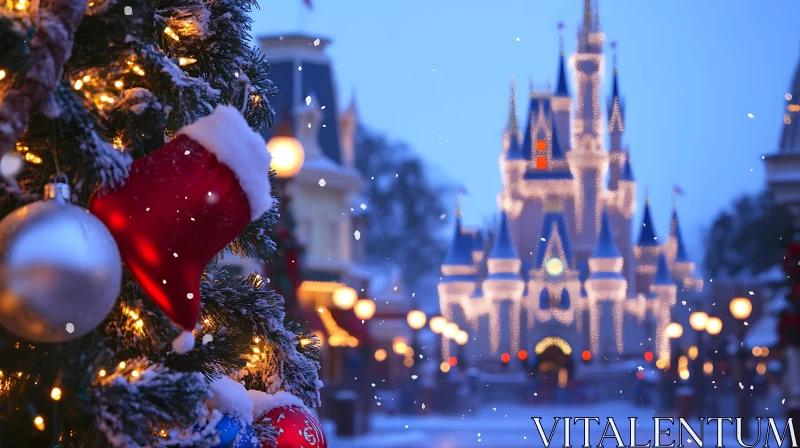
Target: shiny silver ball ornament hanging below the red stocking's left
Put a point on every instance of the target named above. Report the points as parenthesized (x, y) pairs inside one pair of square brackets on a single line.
[(60, 269)]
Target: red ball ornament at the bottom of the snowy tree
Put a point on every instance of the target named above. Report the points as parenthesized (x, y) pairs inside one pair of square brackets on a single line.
[(297, 428)]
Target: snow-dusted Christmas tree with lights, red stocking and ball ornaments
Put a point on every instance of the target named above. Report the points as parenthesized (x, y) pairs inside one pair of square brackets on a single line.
[(117, 328)]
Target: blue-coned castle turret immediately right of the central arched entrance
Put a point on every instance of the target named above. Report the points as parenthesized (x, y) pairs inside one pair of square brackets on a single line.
[(606, 291)]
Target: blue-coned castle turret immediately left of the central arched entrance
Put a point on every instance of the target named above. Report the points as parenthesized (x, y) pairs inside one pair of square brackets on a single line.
[(504, 284)]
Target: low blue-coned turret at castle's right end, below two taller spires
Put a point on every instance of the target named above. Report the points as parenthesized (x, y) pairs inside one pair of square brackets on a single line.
[(663, 296)]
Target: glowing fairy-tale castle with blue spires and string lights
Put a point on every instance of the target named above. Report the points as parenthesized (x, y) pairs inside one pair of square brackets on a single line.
[(562, 268)]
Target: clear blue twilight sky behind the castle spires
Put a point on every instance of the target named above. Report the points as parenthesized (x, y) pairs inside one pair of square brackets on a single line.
[(435, 73)]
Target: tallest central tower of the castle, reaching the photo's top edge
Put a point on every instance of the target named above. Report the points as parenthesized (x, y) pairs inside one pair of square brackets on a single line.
[(588, 159)]
